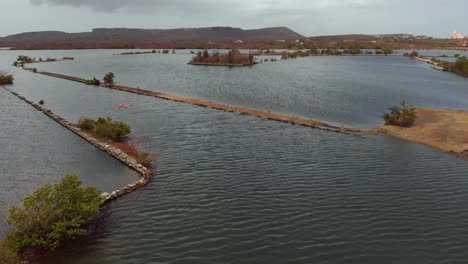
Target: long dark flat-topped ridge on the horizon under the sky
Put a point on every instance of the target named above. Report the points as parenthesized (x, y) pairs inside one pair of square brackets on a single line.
[(134, 35)]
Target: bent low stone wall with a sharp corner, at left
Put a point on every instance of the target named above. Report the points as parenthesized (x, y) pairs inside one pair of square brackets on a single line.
[(144, 172)]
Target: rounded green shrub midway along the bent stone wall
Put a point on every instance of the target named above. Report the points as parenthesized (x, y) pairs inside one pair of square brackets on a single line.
[(108, 129)]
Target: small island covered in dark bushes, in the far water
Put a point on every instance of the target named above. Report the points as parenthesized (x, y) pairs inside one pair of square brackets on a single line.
[(234, 58)]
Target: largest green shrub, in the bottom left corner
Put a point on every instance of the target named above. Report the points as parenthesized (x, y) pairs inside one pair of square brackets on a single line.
[(52, 215)]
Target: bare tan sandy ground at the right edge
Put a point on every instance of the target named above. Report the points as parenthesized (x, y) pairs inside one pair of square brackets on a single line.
[(443, 129)]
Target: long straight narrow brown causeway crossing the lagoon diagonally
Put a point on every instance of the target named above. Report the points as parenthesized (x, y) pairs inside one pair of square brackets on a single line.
[(242, 110)]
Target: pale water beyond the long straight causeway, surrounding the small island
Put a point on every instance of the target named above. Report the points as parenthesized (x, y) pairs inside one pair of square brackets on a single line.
[(349, 91)]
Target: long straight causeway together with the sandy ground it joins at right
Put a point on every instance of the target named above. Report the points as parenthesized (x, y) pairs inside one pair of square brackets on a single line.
[(413, 134)]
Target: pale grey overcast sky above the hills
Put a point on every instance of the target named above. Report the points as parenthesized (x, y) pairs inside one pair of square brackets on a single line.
[(308, 17)]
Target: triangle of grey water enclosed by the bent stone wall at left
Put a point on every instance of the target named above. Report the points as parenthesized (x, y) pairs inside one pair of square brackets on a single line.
[(37, 151)]
